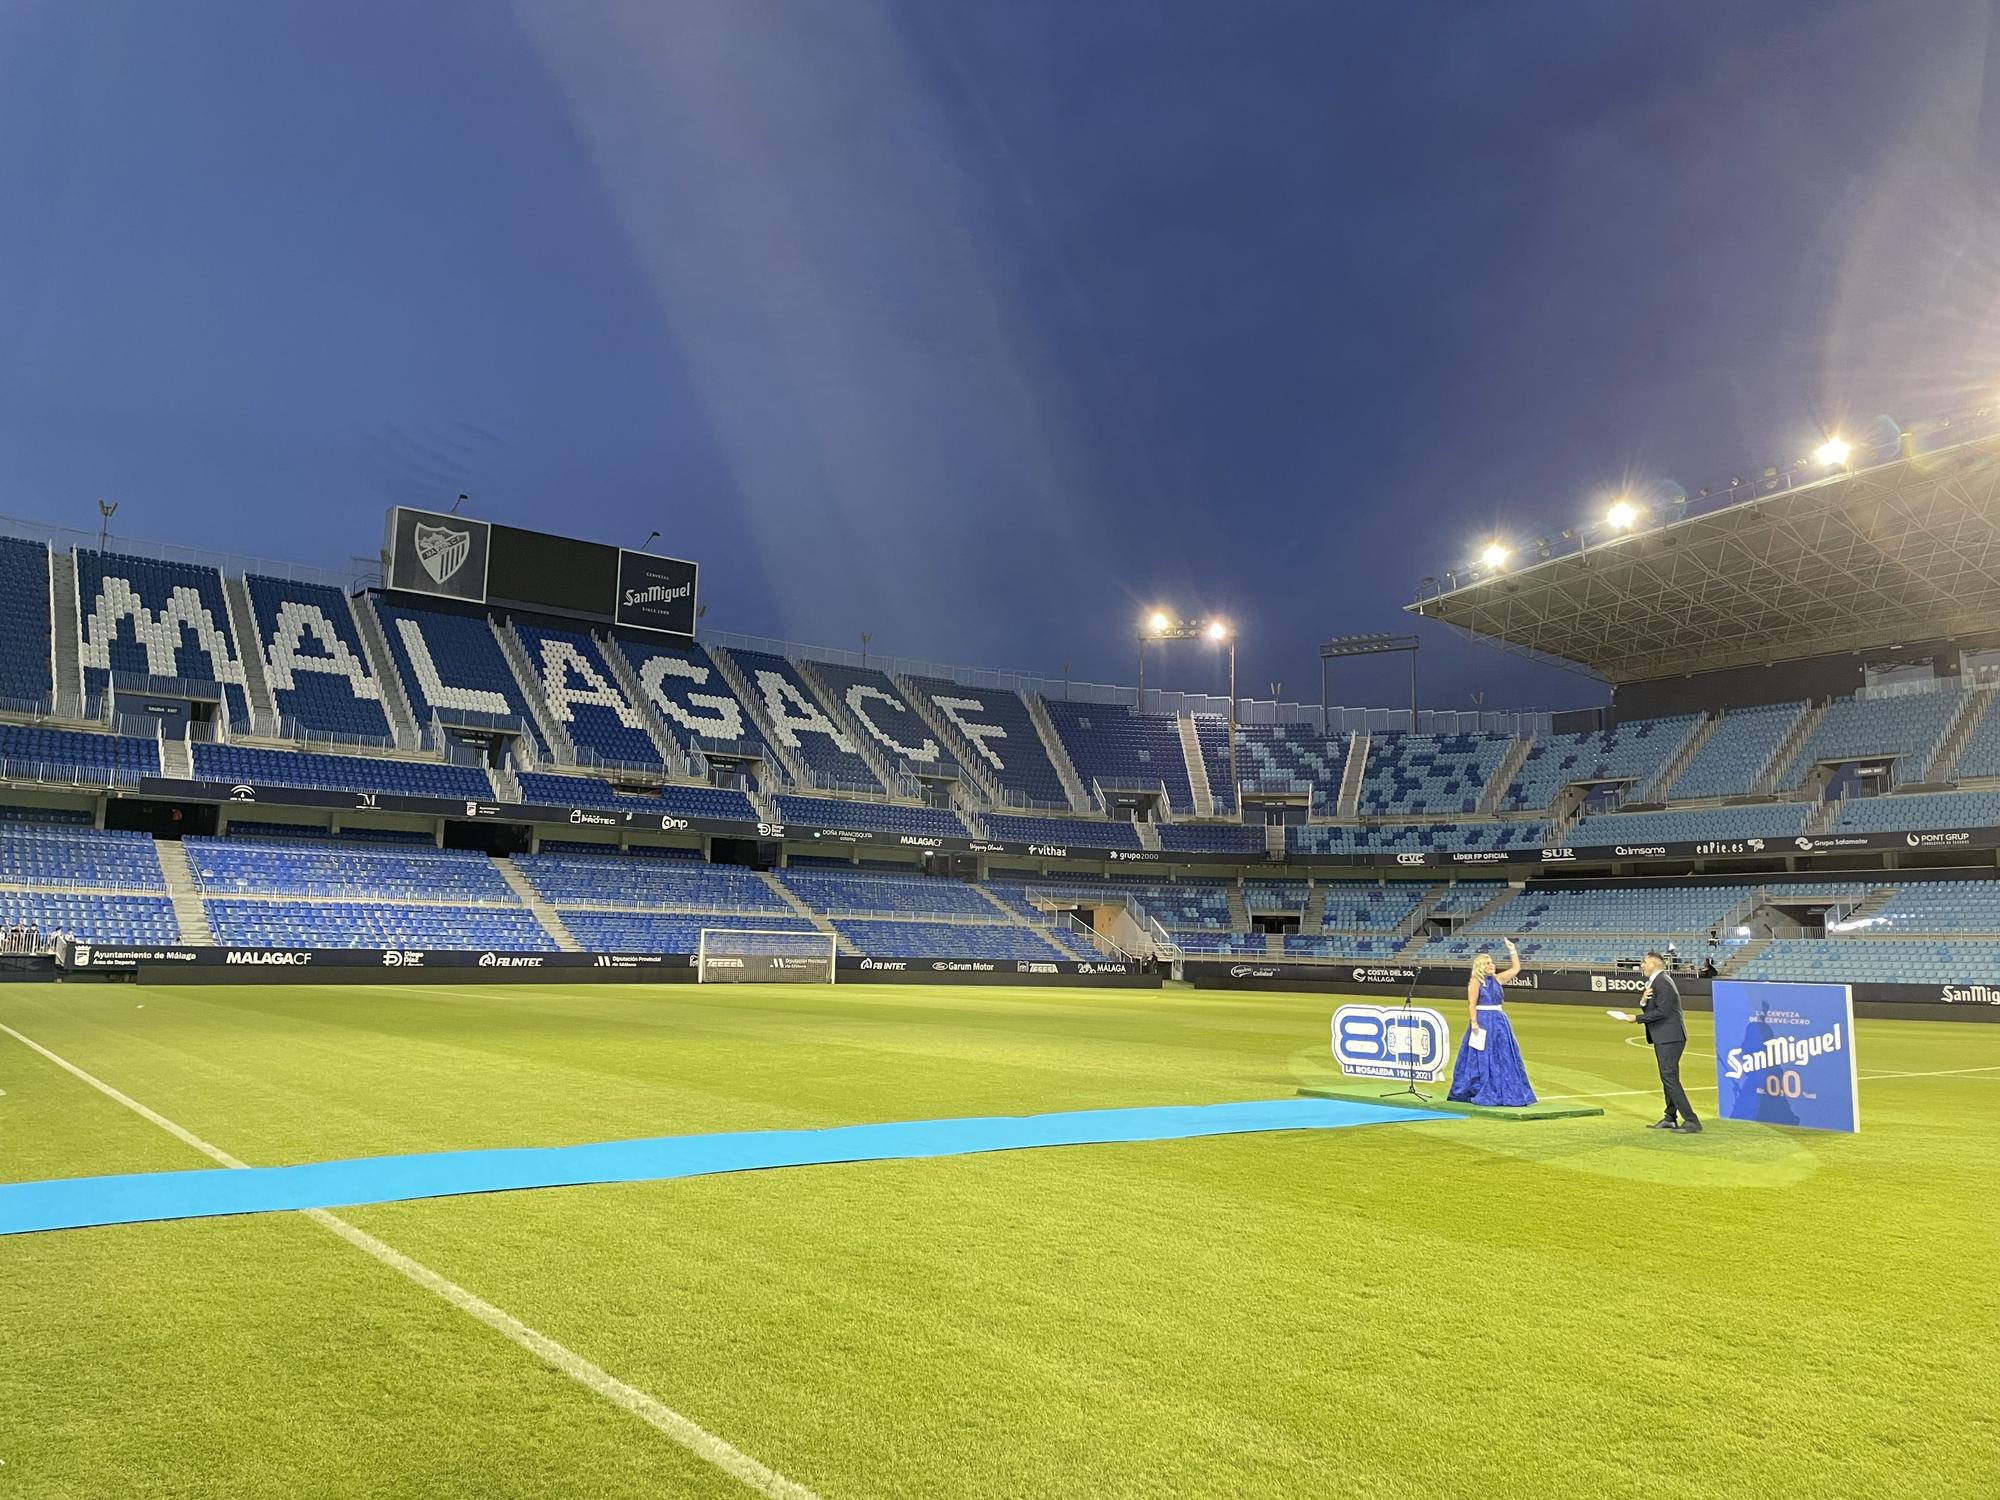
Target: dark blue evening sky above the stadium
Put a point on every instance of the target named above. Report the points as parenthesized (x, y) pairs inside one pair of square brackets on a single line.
[(983, 325)]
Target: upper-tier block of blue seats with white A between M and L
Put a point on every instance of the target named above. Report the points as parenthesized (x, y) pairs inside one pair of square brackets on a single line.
[(315, 659)]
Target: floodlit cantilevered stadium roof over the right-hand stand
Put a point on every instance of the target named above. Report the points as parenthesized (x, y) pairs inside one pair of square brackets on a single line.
[(1899, 553)]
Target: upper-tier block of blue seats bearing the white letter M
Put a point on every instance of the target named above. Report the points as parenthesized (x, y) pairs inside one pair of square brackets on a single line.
[(157, 619)]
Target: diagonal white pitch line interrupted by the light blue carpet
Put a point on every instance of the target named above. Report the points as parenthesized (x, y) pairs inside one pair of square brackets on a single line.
[(693, 1437)]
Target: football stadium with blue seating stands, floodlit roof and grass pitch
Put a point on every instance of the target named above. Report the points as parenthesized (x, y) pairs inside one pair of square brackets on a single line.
[(413, 975)]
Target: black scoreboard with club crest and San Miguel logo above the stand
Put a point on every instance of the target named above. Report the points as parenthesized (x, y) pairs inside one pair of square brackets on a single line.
[(485, 563)]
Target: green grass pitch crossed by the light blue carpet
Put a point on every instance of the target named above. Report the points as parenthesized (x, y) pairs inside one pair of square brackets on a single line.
[(1445, 1309)]
